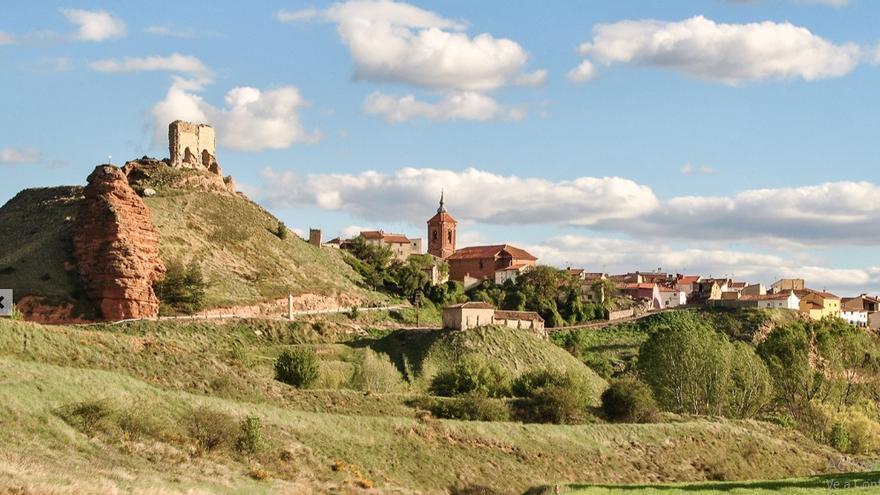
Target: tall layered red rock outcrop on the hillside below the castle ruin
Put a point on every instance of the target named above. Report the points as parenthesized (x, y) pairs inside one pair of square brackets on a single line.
[(116, 247)]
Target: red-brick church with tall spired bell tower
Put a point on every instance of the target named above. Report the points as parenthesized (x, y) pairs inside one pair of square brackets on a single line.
[(471, 264)]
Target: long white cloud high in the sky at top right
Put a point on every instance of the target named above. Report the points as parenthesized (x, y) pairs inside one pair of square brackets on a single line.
[(728, 53)]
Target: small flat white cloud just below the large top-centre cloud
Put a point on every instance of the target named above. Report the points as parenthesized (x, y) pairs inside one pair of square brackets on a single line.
[(465, 105)]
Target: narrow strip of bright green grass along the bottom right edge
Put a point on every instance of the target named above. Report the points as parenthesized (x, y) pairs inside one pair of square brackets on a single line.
[(833, 481)]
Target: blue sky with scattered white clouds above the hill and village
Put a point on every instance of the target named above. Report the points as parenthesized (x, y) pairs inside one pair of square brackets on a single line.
[(717, 136)]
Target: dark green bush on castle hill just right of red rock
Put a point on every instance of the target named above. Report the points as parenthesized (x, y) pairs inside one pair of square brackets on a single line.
[(183, 289)]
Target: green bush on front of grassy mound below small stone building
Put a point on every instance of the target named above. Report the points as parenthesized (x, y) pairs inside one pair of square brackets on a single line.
[(472, 374)]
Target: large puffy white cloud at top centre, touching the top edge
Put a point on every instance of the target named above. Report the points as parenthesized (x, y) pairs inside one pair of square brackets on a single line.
[(398, 42)]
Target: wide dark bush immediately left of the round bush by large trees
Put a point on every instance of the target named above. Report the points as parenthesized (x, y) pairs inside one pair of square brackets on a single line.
[(551, 396)]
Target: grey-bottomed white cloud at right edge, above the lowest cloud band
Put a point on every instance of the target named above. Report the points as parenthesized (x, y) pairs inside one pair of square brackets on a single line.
[(824, 214)]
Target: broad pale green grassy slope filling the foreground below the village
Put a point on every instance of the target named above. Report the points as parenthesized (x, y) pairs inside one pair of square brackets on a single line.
[(112, 408)]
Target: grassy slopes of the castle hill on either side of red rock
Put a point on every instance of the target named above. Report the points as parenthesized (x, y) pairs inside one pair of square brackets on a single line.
[(230, 237)]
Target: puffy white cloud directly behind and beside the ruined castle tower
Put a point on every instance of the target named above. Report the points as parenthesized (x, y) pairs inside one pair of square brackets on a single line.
[(251, 120)]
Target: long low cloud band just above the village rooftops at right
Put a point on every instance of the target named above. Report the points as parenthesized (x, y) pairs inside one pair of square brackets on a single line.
[(624, 255)]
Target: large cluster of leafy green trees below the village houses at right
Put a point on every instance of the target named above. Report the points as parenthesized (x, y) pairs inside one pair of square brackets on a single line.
[(822, 377)]
